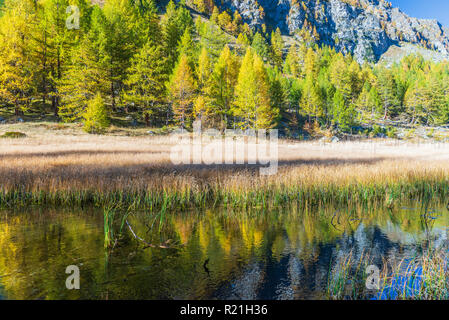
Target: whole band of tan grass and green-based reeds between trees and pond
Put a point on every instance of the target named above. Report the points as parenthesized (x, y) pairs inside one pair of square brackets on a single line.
[(78, 170)]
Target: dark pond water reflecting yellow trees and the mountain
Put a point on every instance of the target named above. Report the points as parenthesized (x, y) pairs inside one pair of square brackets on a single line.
[(212, 254)]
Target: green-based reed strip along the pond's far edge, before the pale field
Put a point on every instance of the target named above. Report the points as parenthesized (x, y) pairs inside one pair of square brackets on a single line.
[(311, 185)]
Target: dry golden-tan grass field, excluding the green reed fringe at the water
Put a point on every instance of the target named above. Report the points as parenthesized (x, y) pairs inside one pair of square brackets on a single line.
[(55, 158)]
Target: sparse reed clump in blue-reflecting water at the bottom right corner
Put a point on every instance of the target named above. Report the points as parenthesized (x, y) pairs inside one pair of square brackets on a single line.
[(422, 277)]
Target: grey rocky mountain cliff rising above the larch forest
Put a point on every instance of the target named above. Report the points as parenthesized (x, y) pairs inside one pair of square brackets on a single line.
[(365, 28)]
